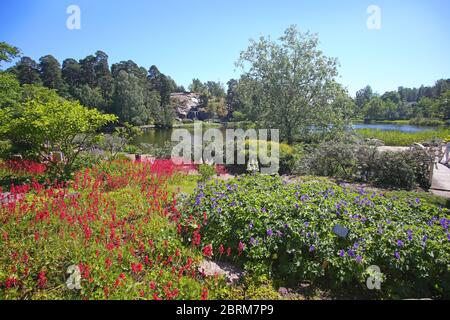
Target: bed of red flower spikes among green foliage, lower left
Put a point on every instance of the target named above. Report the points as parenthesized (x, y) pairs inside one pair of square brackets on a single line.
[(114, 222)]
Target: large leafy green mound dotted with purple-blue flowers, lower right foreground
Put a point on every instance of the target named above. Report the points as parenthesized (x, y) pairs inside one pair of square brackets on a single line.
[(285, 230)]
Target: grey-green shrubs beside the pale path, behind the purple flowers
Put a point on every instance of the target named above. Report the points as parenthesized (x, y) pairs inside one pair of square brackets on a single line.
[(360, 160)]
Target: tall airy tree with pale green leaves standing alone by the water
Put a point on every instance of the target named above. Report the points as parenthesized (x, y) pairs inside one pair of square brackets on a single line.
[(294, 84)]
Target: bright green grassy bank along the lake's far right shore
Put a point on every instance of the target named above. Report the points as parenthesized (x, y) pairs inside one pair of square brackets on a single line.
[(396, 138)]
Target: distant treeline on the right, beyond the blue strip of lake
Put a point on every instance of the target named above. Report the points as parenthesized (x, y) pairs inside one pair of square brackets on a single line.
[(405, 103)]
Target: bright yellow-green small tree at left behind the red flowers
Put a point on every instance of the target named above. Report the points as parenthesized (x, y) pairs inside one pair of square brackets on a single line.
[(44, 123)]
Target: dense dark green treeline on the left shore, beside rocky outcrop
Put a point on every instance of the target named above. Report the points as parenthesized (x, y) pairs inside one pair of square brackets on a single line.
[(134, 94)]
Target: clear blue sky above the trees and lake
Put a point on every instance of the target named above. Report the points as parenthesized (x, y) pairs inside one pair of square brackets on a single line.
[(203, 38)]
